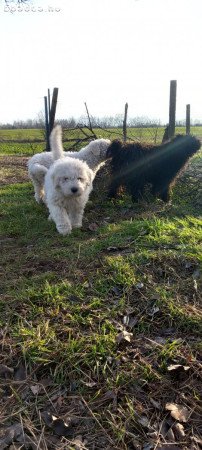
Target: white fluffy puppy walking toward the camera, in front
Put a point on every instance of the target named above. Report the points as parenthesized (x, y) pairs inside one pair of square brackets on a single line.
[(67, 186)]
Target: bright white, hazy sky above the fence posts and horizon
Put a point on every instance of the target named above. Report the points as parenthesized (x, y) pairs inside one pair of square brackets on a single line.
[(103, 52)]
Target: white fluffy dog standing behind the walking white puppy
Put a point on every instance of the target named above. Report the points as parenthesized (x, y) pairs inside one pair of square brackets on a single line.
[(94, 154)]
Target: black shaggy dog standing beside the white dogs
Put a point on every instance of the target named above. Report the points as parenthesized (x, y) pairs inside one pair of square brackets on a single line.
[(135, 166)]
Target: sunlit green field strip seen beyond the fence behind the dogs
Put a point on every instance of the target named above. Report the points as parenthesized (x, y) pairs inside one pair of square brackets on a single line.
[(31, 141)]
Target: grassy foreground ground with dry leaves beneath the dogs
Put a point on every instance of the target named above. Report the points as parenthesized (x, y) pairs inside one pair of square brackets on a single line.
[(101, 330)]
